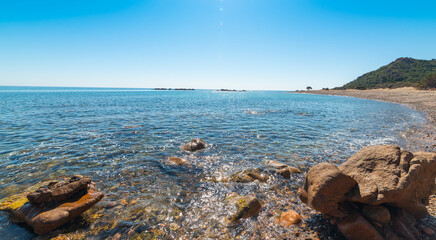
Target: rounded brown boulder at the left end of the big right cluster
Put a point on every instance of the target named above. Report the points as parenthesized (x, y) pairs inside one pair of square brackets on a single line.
[(325, 188)]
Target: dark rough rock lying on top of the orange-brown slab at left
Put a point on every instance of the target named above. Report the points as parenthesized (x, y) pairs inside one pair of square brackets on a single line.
[(59, 191)]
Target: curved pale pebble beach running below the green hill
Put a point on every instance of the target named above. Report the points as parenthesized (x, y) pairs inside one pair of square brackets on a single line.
[(422, 139)]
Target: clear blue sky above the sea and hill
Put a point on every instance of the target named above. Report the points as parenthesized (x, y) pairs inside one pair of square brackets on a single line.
[(242, 44)]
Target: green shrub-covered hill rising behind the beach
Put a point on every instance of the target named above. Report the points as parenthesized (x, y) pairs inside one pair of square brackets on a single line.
[(403, 72)]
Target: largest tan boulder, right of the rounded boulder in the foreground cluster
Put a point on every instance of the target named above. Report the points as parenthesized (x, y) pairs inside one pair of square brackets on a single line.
[(385, 174)]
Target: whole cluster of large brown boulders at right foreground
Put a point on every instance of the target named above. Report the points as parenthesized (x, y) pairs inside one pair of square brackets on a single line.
[(379, 193)]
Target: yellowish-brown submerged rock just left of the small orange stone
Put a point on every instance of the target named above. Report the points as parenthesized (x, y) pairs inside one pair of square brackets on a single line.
[(246, 206)]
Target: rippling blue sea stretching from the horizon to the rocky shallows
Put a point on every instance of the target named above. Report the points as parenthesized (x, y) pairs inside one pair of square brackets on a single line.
[(122, 138)]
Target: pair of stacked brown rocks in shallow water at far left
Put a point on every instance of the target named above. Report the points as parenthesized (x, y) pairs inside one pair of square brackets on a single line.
[(55, 204)]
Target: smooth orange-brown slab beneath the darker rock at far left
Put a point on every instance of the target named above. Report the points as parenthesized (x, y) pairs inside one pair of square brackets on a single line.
[(46, 219)]
